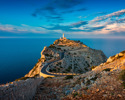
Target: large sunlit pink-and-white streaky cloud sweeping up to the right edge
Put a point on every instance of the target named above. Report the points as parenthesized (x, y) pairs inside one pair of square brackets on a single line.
[(108, 26)]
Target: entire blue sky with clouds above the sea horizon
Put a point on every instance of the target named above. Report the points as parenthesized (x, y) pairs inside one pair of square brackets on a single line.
[(51, 18)]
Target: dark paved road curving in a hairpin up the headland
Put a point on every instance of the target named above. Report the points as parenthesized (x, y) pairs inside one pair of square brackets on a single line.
[(43, 70)]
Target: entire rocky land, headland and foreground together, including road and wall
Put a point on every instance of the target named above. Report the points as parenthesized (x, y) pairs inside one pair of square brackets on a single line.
[(71, 71)]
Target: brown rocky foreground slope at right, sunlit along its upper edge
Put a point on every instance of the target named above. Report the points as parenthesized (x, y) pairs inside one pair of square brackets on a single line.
[(104, 82)]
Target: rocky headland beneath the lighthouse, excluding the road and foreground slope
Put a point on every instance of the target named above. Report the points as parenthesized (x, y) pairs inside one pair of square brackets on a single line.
[(76, 57)]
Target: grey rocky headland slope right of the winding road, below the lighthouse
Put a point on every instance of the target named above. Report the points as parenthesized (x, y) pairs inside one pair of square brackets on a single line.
[(78, 58)]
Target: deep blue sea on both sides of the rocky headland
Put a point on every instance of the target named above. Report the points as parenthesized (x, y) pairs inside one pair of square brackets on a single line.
[(19, 55)]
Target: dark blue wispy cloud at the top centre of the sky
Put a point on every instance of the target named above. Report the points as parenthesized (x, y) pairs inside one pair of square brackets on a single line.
[(56, 9)]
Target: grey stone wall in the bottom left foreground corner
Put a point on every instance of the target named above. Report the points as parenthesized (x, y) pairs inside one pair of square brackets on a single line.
[(19, 90)]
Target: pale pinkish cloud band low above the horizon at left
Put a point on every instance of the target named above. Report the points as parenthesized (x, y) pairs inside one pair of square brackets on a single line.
[(21, 29)]
